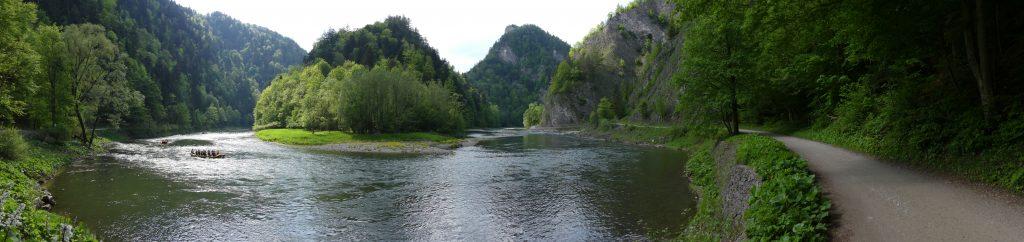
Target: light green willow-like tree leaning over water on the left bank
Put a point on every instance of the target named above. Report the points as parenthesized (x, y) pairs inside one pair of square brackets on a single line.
[(99, 84)]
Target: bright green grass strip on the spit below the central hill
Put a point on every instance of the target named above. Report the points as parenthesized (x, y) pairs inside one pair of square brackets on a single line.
[(306, 138)]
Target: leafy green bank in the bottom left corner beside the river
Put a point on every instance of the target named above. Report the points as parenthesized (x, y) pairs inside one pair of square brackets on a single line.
[(23, 167)]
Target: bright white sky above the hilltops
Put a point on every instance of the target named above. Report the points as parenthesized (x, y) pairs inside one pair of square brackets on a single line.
[(461, 30)]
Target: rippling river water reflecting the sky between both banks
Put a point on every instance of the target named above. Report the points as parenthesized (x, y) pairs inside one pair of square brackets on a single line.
[(515, 186)]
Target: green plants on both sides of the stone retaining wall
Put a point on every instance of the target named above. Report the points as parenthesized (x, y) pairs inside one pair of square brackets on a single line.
[(788, 206)]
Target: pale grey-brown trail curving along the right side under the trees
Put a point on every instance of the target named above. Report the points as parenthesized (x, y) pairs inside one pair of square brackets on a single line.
[(878, 201)]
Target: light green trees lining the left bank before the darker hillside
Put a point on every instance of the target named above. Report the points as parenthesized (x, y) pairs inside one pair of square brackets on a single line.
[(58, 78)]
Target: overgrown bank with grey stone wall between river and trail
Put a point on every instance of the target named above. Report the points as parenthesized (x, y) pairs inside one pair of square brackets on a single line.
[(786, 203)]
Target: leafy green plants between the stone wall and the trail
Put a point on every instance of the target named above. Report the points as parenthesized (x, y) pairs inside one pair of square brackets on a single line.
[(789, 206)]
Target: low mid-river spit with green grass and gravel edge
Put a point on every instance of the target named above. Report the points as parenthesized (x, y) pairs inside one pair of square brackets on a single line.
[(416, 143)]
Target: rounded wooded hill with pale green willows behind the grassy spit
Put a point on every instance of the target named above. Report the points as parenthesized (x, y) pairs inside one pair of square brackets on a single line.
[(381, 78)]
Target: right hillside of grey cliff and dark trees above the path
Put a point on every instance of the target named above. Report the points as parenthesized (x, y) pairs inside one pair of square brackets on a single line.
[(924, 82)]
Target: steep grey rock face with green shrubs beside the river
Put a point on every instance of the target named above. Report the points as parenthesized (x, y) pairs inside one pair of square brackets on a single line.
[(630, 60)]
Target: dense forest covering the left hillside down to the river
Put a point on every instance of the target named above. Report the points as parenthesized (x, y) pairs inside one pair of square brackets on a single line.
[(91, 65)]
